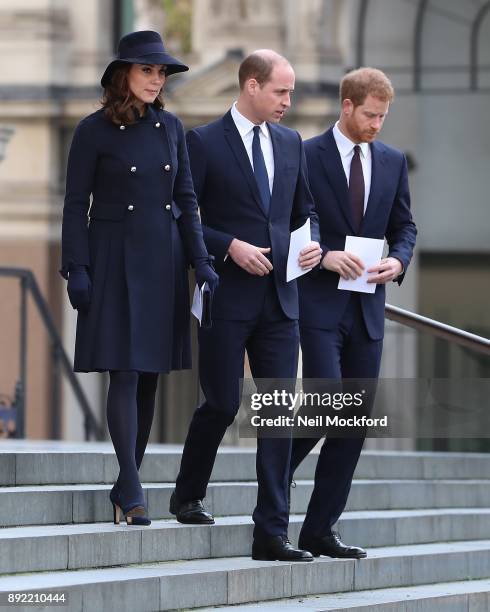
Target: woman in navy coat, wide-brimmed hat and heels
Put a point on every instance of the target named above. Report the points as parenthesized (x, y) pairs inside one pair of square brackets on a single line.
[(129, 209)]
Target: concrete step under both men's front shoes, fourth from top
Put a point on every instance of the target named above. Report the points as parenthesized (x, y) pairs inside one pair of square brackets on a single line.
[(210, 582)]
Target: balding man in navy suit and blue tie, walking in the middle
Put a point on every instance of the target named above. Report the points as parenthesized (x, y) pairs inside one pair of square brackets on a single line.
[(249, 175)]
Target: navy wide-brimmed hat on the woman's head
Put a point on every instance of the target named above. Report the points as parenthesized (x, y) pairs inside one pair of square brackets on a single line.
[(144, 47)]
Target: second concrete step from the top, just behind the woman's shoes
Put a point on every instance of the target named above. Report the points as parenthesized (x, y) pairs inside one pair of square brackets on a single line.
[(89, 503)]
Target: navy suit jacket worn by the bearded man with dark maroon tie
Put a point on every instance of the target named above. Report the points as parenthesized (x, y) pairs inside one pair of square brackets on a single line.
[(387, 216)]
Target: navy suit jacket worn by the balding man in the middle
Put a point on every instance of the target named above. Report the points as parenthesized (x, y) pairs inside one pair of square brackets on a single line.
[(231, 207)]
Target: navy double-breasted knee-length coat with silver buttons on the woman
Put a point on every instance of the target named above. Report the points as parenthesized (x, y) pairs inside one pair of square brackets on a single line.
[(129, 208)]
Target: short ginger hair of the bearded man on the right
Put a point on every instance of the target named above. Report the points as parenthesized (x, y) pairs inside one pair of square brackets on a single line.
[(357, 84)]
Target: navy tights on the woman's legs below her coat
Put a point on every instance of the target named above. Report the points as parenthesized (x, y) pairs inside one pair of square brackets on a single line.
[(130, 408)]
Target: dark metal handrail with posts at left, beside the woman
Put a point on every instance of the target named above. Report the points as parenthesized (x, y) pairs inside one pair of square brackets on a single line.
[(29, 283)]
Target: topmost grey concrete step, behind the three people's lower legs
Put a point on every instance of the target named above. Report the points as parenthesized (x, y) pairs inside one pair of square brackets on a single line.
[(49, 462)]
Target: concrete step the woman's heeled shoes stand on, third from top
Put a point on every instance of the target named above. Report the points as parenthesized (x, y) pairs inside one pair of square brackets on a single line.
[(61, 547)]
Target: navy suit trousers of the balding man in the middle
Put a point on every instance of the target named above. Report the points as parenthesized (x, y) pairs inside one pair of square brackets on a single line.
[(271, 341)]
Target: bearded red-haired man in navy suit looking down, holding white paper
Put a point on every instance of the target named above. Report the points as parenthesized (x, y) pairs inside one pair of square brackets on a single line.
[(360, 188)]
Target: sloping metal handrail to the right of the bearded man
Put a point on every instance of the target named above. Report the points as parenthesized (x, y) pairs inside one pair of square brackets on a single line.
[(438, 329)]
